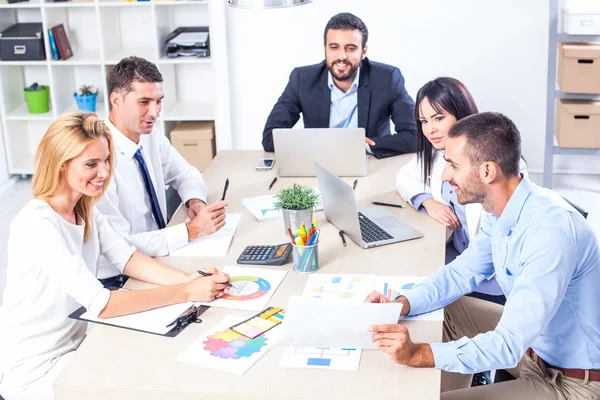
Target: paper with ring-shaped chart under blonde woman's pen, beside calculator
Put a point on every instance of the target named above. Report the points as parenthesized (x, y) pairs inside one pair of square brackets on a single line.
[(252, 288)]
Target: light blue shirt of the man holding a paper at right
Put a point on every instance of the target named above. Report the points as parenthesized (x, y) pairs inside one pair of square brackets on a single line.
[(547, 262)]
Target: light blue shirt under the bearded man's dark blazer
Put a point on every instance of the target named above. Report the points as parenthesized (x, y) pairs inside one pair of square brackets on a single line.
[(344, 106)]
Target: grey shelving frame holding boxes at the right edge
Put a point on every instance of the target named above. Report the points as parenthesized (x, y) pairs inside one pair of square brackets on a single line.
[(554, 93)]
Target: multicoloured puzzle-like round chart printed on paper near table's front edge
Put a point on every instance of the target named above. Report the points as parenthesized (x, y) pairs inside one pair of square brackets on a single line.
[(231, 345)]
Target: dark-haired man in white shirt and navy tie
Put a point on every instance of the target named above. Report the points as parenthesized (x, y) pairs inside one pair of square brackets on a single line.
[(135, 200)]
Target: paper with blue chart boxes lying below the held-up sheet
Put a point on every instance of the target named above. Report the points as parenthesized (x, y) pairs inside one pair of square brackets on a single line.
[(318, 358)]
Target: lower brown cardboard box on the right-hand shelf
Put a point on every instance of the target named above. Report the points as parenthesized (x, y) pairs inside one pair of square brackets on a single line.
[(578, 124)]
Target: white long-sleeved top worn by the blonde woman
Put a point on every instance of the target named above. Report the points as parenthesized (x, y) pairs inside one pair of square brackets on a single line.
[(51, 273)]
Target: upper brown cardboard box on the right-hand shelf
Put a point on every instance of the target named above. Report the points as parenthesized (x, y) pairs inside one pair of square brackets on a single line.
[(579, 67)]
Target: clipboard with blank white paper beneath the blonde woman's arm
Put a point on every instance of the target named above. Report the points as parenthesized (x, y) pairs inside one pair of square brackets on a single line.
[(164, 321)]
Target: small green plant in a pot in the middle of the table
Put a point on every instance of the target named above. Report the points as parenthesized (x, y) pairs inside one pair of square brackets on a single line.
[(296, 204)]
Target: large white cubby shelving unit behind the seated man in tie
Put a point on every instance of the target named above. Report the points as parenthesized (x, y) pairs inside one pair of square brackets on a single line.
[(101, 33)]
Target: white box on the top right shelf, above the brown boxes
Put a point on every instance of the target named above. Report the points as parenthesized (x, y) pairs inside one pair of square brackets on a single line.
[(581, 17)]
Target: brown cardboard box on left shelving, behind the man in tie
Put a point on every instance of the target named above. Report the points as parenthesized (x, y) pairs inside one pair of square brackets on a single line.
[(195, 141)]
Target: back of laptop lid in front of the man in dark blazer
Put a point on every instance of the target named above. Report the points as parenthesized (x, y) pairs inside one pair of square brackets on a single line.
[(341, 150)]
